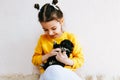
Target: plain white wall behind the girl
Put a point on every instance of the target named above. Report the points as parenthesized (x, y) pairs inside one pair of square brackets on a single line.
[(95, 22)]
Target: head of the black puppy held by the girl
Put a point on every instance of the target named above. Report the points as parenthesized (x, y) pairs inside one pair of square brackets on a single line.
[(65, 45)]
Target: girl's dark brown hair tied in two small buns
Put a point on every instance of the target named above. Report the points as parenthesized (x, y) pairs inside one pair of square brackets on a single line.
[(49, 12)]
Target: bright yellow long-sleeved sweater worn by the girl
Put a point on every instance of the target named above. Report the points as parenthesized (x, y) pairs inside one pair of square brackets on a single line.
[(45, 45)]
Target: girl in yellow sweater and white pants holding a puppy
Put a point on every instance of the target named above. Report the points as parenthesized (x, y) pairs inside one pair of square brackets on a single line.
[(51, 19)]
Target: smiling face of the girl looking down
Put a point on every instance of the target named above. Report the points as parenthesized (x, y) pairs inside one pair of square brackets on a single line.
[(53, 28)]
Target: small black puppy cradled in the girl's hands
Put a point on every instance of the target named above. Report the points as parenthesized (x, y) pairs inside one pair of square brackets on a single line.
[(65, 45)]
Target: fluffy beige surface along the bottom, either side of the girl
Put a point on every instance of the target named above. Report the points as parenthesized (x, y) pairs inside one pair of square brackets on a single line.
[(36, 77)]
